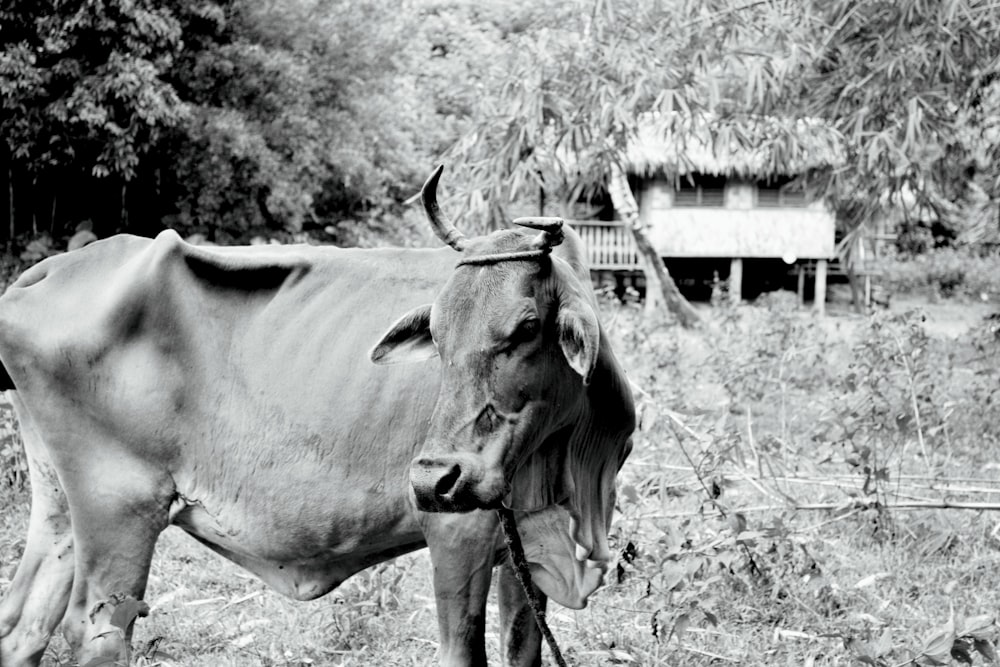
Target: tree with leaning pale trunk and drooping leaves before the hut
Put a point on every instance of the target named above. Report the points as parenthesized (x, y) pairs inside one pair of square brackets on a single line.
[(577, 89)]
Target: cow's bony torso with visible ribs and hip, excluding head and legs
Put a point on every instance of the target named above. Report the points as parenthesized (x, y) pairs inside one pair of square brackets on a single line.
[(243, 375)]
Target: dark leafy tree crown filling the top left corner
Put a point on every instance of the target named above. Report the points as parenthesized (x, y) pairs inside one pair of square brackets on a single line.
[(81, 84)]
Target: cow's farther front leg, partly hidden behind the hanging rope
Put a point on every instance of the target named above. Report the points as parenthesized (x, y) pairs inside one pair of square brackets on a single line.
[(520, 638)]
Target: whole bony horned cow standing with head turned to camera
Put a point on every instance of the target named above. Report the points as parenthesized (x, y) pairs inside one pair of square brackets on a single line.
[(232, 392)]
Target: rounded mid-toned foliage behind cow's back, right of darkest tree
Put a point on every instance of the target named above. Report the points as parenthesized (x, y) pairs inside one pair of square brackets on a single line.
[(301, 114)]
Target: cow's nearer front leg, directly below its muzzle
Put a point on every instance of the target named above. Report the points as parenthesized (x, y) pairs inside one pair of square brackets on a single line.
[(463, 551)]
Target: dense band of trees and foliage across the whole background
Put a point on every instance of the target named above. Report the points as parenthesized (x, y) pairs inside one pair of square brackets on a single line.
[(318, 119)]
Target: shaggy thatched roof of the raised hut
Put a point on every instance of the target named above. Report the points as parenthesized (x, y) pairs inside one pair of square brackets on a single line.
[(758, 148)]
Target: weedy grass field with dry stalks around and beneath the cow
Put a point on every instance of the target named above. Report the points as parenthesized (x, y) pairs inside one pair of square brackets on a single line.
[(802, 491)]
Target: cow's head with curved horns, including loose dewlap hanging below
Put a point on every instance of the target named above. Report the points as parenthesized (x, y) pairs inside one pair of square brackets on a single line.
[(519, 341)]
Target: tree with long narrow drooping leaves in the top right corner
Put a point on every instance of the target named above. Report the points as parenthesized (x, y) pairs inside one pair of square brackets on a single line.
[(908, 84)]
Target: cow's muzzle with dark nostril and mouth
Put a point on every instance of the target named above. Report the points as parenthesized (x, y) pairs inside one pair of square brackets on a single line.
[(455, 483)]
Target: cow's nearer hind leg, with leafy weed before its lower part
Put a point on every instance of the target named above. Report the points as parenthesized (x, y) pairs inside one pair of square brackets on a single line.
[(119, 504)]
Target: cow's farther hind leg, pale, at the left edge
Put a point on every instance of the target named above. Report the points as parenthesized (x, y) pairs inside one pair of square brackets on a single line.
[(36, 600)]
